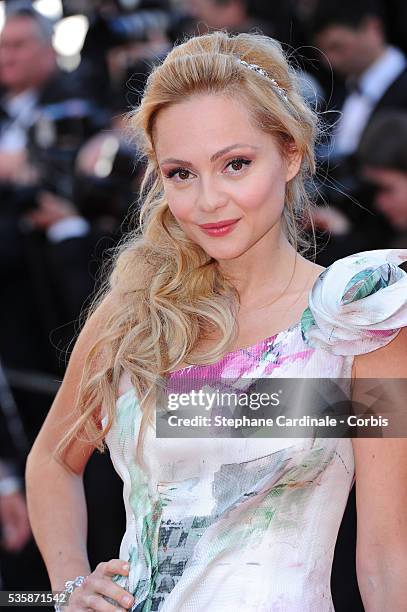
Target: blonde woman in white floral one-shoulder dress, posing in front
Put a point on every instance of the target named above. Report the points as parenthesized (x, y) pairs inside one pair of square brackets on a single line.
[(215, 281)]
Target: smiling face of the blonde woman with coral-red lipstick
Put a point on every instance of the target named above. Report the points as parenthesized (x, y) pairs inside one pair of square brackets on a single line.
[(217, 167)]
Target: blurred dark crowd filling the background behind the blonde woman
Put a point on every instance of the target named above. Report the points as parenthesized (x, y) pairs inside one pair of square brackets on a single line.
[(69, 180)]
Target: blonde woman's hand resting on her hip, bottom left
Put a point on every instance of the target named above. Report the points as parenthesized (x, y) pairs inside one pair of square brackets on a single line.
[(98, 585)]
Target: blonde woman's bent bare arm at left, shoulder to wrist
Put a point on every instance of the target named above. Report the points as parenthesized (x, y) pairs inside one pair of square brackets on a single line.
[(54, 489)]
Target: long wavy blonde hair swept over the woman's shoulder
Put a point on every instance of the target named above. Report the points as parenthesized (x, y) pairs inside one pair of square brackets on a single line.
[(168, 292)]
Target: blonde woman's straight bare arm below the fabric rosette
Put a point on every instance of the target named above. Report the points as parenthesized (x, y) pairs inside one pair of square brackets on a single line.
[(381, 494)]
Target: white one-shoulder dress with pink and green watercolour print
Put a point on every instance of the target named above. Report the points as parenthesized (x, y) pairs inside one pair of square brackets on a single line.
[(250, 524)]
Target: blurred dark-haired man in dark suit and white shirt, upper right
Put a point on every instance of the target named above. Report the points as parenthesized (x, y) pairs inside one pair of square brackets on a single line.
[(369, 75)]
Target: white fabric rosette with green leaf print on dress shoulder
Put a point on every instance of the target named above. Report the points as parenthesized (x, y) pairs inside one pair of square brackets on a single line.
[(358, 303)]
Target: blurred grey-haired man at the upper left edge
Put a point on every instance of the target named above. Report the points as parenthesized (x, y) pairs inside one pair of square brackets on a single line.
[(29, 78)]
